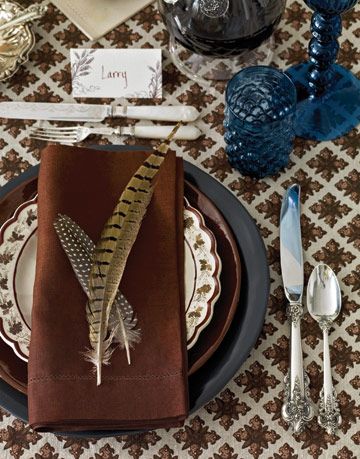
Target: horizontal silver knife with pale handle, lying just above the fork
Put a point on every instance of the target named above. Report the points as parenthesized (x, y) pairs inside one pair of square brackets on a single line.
[(96, 112)]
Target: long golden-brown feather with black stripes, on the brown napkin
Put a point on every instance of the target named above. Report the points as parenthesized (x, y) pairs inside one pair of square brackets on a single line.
[(112, 251)]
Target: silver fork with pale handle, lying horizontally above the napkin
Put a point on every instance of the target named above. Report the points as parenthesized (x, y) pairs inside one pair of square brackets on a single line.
[(76, 134)]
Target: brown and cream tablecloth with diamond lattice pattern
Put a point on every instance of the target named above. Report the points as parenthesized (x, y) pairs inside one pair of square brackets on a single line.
[(244, 420)]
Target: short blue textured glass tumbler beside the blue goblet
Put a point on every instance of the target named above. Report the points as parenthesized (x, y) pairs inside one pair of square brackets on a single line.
[(259, 120)]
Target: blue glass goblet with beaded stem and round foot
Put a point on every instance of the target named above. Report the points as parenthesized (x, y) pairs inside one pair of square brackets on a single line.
[(328, 94)]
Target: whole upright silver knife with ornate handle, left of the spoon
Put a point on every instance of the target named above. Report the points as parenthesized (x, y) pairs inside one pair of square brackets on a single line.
[(297, 409)]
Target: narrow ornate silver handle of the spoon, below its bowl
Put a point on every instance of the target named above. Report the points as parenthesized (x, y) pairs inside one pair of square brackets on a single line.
[(329, 412)]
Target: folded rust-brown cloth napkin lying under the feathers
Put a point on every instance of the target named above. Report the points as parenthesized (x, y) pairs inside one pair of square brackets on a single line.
[(151, 392)]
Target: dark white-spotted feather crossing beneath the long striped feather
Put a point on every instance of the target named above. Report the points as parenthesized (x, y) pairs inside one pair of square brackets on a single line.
[(80, 249)]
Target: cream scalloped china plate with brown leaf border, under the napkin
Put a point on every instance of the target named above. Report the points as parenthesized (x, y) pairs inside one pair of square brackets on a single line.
[(18, 242)]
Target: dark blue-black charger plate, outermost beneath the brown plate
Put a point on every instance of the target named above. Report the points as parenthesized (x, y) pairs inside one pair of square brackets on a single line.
[(205, 383)]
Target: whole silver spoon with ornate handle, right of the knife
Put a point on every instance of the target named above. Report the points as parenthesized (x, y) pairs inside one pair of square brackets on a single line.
[(324, 304)]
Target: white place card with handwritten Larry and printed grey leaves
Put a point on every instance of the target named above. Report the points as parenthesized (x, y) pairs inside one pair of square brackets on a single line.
[(129, 73)]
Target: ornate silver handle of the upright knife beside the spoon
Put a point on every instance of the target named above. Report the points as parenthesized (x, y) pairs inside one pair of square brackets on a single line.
[(297, 409)]
